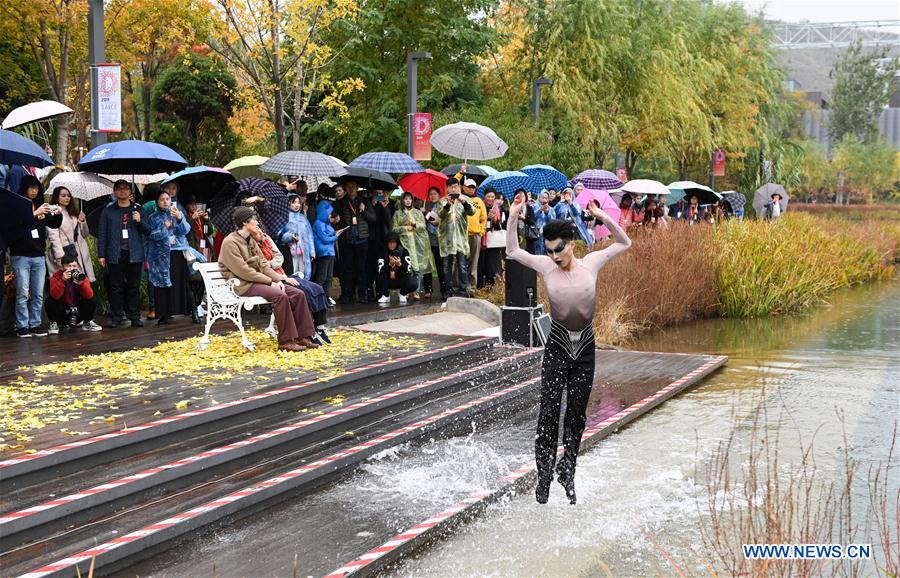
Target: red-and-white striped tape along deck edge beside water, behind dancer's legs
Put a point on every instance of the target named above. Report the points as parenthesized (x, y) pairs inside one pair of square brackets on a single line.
[(404, 537)]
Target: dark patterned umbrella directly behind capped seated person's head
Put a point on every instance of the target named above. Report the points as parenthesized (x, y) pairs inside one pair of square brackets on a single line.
[(273, 217)]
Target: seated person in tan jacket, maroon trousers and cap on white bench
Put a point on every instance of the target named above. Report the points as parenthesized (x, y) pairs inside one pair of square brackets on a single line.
[(241, 255)]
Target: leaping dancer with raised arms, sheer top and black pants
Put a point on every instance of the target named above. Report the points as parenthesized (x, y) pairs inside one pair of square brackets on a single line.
[(569, 354)]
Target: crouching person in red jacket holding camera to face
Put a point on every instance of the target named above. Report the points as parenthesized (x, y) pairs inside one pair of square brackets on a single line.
[(71, 301)]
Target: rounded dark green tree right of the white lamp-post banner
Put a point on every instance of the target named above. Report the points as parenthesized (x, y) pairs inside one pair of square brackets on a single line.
[(194, 100)]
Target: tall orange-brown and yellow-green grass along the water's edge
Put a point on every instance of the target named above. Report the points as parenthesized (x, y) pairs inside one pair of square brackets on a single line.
[(739, 268)]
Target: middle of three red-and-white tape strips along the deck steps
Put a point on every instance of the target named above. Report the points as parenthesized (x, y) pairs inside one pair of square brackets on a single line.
[(217, 451)]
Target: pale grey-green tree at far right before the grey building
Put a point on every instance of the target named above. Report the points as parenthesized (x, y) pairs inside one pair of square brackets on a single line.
[(862, 89)]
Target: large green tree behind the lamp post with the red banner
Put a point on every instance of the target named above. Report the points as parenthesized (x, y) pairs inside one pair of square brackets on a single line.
[(455, 32)]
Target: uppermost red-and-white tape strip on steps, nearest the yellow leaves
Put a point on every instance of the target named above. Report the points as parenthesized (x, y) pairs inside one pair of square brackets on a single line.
[(182, 416)]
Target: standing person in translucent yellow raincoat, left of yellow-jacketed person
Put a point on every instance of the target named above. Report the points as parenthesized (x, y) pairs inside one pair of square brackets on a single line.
[(453, 237)]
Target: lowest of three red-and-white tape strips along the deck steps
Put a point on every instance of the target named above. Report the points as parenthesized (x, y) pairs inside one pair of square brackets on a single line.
[(179, 518)]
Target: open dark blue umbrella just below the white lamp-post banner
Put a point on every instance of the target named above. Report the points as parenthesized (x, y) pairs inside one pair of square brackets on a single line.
[(131, 157)]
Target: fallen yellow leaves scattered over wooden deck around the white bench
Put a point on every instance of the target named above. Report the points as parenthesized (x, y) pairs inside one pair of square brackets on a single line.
[(97, 384)]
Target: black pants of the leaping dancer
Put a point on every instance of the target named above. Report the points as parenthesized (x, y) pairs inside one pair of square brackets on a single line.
[(560, 371)]
